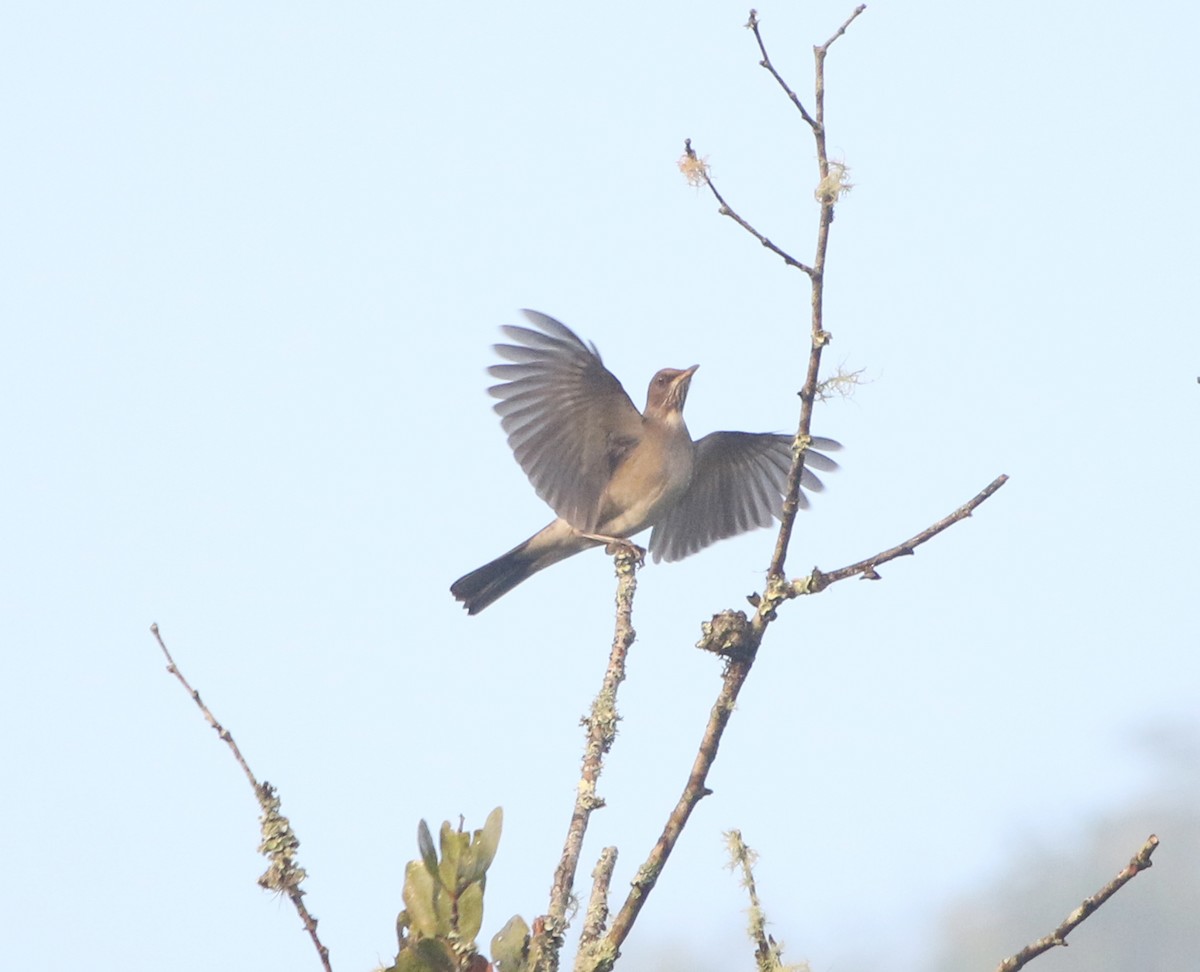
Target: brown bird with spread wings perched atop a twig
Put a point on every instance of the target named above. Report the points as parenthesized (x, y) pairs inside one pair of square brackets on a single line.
[(610, 472)]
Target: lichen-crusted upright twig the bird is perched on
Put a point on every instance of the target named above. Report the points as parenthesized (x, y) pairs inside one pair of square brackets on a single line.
[(602, 727)]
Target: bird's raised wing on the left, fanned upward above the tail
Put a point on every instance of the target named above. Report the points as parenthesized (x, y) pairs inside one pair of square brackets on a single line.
[(569, 421)]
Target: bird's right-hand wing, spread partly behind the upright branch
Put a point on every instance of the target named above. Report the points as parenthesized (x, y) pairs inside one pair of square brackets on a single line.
[(737, 485)]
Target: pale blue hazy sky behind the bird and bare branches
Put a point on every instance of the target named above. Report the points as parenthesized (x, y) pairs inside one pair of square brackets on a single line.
[(254, 257)]
